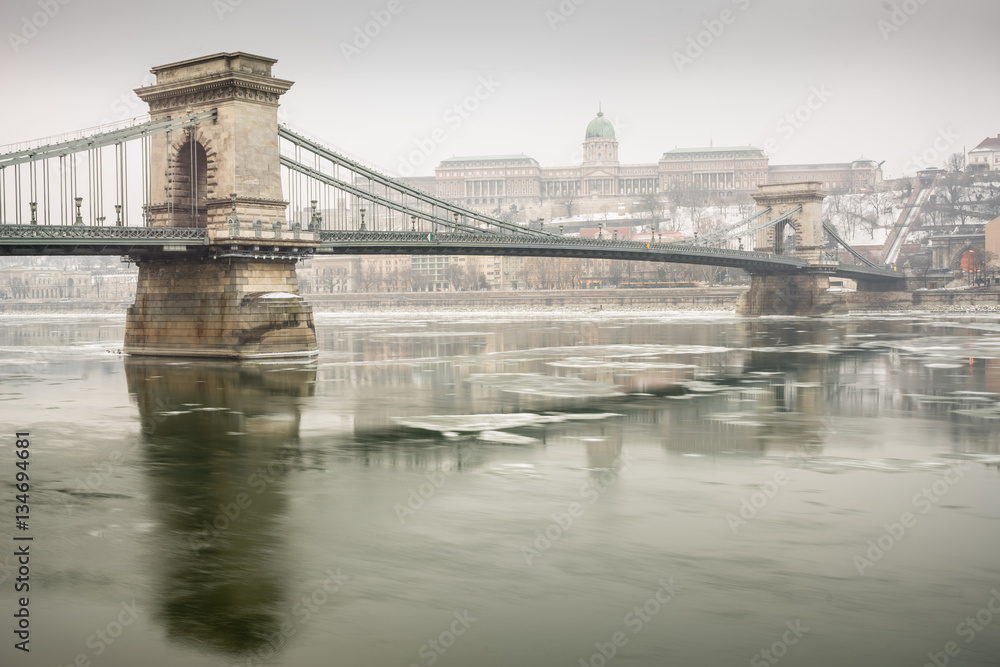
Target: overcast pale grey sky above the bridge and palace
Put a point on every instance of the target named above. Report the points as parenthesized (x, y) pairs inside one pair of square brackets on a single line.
[(884, 79)]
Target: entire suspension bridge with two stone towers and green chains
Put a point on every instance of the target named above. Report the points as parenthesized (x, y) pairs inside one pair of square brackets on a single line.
[(216, 202)]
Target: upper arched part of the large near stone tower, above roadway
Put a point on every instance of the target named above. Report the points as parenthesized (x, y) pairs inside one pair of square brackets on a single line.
[(200, 167)]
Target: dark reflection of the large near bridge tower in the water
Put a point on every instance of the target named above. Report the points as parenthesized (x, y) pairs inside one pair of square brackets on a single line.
[(219, 441)]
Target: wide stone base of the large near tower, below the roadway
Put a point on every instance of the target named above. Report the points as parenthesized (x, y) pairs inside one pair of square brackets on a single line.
[(227, 308)]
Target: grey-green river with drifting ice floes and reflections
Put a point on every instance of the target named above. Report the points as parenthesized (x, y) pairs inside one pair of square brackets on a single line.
[(497, 489)]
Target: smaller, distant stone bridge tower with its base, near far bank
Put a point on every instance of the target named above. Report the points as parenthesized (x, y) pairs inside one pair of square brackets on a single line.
[(799, 292)]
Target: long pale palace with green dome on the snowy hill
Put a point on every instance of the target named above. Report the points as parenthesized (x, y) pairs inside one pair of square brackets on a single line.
[(518, 188)]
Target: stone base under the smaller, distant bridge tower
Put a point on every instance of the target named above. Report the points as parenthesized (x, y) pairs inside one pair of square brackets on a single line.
[(799, 295)]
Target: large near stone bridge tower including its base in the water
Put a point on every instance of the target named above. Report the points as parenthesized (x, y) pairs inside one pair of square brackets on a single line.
[(237, 296)]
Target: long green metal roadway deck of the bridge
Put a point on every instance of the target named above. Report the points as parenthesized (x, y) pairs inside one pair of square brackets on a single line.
[(23, 240)]
